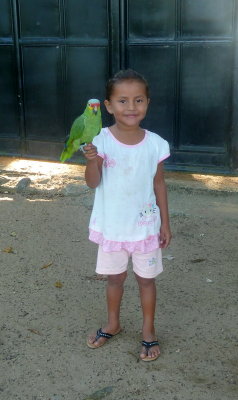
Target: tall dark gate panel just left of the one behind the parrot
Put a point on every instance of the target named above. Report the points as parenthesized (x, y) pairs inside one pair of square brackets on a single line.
[(42, 92)]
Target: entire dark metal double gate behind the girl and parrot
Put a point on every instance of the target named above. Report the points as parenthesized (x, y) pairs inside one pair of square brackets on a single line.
[(55, 54)]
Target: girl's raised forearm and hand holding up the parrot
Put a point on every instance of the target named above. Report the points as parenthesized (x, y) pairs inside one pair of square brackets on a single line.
[(93, 170)]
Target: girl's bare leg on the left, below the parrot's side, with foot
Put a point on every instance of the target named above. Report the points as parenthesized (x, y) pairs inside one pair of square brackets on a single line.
[(115, 288)]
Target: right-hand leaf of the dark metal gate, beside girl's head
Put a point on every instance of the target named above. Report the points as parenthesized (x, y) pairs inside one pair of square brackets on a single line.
[(186, 50)]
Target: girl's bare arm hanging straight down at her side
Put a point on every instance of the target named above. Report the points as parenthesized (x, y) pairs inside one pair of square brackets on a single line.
[(162, 202)]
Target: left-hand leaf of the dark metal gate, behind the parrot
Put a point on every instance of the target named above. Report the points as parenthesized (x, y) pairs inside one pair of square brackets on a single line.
[(56, 58)]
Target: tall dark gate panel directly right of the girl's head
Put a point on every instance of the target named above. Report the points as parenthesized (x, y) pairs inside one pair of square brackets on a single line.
[(158, 64)]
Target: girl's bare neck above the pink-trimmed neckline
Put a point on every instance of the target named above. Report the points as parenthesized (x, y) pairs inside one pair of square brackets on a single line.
[(130, 136)]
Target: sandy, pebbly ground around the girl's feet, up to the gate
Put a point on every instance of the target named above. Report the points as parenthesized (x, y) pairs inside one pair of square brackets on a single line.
[(51, 298)]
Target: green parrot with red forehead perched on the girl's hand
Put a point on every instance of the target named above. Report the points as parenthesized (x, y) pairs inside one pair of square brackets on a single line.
[(83, 129)]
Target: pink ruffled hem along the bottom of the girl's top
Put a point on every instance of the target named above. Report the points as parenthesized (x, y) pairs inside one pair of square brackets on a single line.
[(144, 246)]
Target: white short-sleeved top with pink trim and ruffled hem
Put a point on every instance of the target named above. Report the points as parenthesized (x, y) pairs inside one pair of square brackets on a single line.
[(125, 214)]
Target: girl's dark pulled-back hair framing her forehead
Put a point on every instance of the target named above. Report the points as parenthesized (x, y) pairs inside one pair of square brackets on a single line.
[(125, 75)]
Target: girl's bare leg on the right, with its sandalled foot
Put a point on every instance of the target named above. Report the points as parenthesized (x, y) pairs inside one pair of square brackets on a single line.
[(148, 302)]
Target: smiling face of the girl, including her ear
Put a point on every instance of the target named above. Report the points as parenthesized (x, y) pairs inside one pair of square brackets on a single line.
[(128, 103)]
